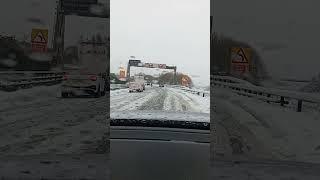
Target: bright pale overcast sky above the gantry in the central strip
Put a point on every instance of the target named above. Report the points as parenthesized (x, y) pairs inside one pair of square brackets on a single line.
[(173, 32)]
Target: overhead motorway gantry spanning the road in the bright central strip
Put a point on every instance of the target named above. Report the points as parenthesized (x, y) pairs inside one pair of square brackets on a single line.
[(138, 63)]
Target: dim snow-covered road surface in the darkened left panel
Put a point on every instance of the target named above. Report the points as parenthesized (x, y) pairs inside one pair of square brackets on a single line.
[(37, 120)]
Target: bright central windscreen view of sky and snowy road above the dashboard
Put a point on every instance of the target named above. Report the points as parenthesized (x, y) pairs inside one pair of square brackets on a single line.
[(160, 63)]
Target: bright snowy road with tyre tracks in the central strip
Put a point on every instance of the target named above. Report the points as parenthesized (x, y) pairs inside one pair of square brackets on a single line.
[(158, 98)]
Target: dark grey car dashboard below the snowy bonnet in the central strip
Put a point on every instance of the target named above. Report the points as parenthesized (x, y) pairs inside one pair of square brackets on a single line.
[(145, 152)]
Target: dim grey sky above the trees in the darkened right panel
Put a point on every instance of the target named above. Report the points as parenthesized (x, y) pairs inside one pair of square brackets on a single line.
[(290, 28)]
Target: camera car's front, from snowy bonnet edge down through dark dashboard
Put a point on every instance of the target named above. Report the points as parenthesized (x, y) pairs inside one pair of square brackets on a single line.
[(176, 143)]
